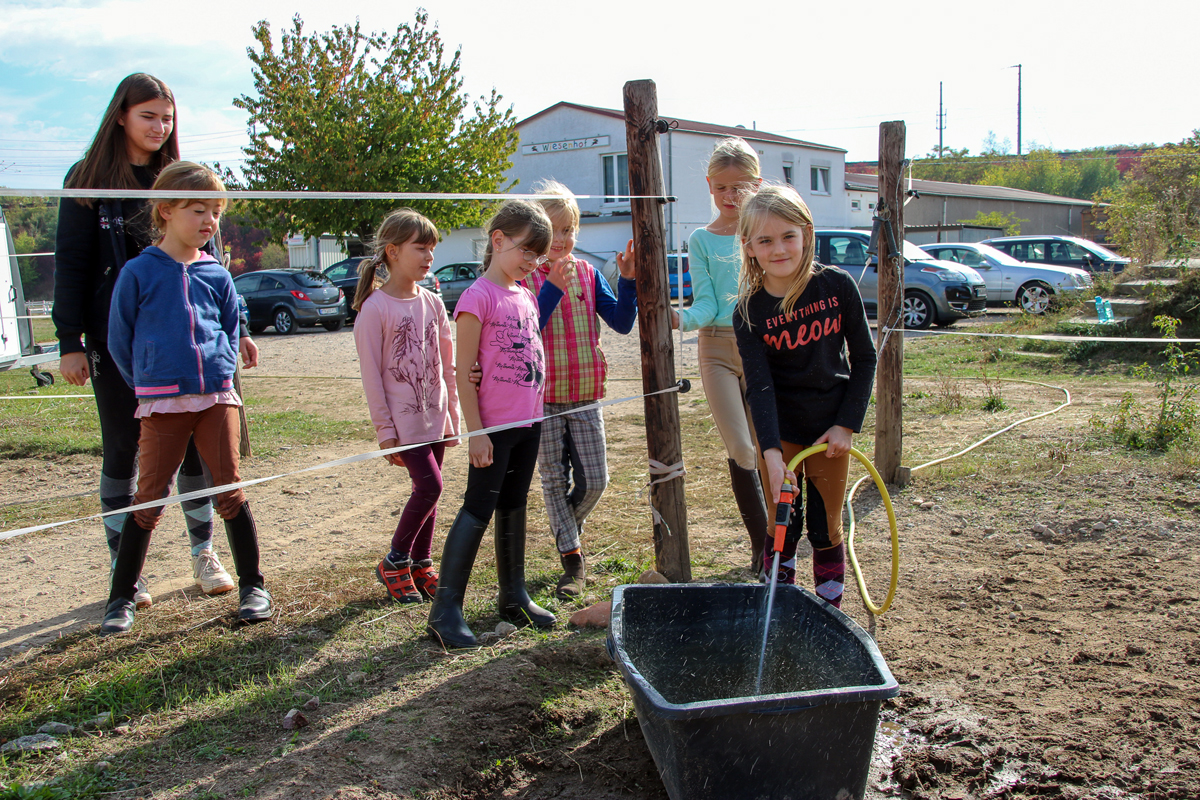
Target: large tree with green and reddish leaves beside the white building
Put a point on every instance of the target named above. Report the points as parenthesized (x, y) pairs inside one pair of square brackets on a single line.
[(349, 111)]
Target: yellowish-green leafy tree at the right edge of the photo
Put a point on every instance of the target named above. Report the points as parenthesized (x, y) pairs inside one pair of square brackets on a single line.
[(1156, 210)]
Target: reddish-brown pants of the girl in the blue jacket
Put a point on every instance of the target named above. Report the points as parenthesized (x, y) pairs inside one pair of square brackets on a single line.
[(161, 450)]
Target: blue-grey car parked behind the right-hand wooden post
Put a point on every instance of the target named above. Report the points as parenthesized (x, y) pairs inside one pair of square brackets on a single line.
[(935, 293)]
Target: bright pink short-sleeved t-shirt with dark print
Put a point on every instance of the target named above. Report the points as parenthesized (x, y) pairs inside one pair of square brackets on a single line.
[(511, 353)]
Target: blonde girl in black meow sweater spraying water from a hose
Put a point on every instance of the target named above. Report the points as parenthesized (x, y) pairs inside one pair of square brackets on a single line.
[(811, 366)]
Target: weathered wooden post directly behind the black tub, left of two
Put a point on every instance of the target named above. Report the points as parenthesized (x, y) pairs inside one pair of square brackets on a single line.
[(643, 130)]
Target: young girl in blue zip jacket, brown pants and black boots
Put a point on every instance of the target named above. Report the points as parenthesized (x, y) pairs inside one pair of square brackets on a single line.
[(173, 335)]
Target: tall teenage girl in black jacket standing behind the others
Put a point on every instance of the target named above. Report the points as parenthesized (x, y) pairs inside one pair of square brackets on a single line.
[(136, 140)]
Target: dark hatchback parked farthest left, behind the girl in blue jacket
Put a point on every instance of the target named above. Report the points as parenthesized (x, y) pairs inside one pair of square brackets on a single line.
[(291, 299)]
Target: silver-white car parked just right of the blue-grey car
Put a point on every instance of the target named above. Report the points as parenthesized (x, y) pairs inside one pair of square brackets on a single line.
[(1031, 287)]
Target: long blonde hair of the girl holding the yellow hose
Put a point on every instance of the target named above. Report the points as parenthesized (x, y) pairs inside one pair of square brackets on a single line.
[(782, 202)]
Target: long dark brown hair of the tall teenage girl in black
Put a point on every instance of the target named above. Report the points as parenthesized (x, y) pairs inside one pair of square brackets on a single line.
[(107, 163)]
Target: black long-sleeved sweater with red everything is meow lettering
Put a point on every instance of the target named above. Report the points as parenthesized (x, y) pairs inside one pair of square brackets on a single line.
[(812, 369)]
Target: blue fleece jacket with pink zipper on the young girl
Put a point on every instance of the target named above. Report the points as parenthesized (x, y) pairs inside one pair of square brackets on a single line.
[(173, 328)]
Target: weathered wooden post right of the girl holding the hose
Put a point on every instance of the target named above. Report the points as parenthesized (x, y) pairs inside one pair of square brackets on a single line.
[(890, 372)]
